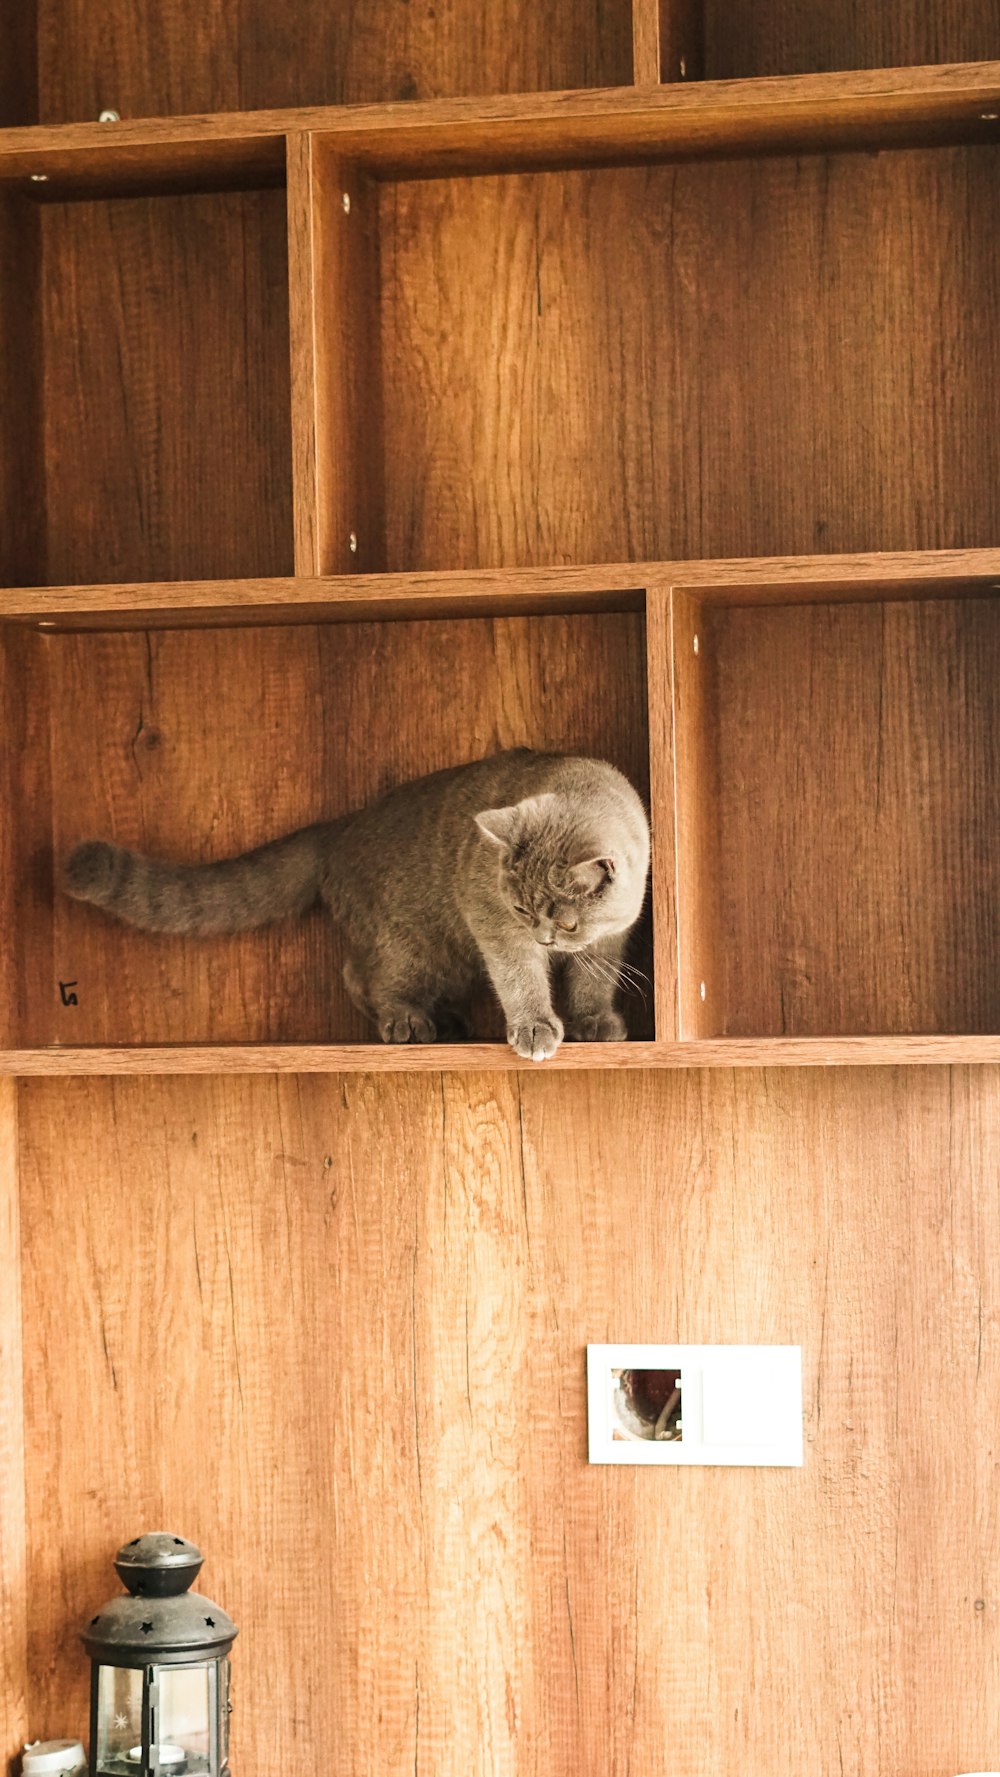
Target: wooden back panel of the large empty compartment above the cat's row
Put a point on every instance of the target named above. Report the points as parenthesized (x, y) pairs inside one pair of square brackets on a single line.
[(649, 379)]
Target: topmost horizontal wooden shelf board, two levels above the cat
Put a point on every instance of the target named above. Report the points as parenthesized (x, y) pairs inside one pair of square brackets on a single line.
[(399, 139)]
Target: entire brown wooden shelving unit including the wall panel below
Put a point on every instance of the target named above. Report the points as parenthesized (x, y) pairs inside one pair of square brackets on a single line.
[(640, 324)]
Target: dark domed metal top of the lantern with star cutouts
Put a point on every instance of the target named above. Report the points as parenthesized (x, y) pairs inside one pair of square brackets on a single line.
[(159, 1622)]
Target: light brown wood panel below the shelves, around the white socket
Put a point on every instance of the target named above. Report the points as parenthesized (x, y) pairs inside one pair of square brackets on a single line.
[(353, 1318)]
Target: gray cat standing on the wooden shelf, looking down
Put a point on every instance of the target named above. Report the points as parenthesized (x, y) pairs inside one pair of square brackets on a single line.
[(527, 868)]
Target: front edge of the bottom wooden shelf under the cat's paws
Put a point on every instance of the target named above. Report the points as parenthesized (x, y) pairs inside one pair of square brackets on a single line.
[(479, 1058)]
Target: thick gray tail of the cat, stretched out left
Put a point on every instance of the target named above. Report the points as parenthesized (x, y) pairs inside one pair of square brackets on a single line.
[(235, 895)]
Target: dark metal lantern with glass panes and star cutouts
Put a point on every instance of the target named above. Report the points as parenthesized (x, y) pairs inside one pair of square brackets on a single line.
[(161, 1675)]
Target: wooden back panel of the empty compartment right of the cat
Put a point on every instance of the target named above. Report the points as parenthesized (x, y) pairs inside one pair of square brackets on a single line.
[(857, 829)]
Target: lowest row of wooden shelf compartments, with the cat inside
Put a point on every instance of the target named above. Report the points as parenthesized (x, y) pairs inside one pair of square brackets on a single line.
[(784, 717)]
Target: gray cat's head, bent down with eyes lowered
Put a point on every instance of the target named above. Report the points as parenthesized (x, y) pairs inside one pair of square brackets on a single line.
[(560, 881)]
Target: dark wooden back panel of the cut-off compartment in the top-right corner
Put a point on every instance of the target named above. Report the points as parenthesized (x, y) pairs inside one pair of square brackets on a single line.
[(798, 38)]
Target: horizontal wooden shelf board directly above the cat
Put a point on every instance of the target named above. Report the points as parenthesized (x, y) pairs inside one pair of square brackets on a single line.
[(599, 586)]
